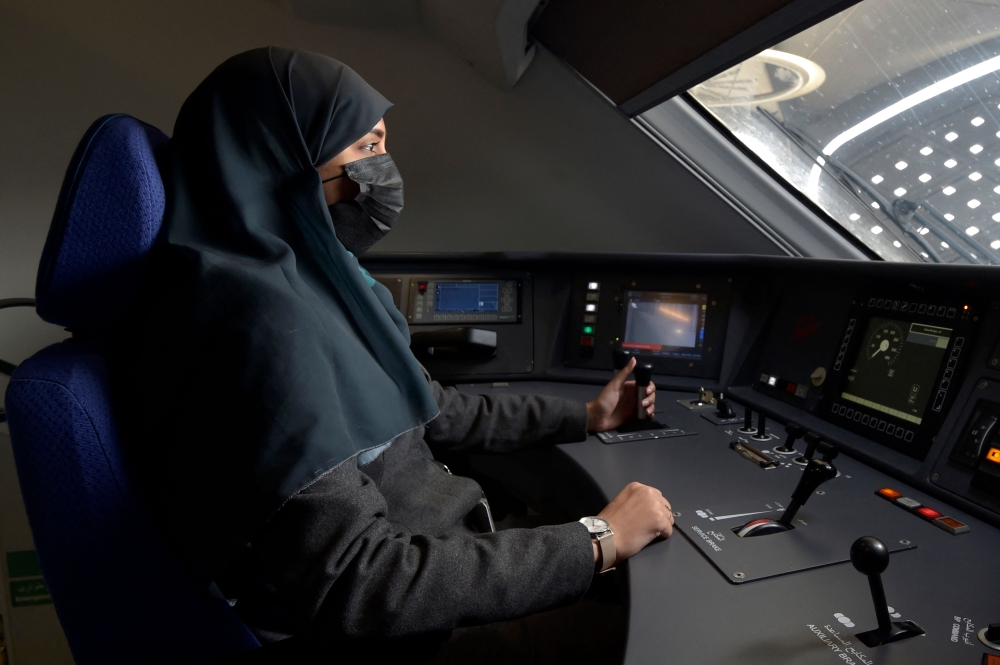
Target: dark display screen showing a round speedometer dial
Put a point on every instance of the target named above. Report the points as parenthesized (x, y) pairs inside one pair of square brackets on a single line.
[(896, 367)]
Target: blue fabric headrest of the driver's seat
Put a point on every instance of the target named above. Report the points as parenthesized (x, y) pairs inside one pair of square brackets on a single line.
[(109, 213)]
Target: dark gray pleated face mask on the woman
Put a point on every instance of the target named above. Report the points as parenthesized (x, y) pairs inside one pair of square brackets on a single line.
[(362, 222)]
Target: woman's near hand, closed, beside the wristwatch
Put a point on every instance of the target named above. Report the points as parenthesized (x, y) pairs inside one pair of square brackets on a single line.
[(638, 515)]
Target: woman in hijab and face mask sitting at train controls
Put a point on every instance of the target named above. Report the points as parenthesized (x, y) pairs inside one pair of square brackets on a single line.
[(284, 428)]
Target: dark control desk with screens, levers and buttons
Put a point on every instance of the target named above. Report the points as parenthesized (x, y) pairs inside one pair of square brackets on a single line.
[(894, 372)]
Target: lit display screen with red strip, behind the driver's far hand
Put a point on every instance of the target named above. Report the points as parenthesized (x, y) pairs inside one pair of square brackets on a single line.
[(667, 324)]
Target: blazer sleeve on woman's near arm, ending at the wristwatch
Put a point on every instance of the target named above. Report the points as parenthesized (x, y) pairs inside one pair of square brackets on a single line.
[(335, 562)]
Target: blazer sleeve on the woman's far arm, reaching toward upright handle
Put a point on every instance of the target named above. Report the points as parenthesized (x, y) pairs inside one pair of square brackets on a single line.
[(503, 423)]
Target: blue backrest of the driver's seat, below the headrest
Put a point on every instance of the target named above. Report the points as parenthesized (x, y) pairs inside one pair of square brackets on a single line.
[(120, 593)]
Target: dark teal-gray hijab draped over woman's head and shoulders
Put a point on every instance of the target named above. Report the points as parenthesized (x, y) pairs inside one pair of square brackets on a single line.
[(263, 359)]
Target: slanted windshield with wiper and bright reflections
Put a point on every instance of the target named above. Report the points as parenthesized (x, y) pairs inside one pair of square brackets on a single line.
[(887, 116)]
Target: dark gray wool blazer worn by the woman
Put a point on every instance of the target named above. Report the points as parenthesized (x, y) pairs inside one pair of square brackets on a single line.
[(383, 550)]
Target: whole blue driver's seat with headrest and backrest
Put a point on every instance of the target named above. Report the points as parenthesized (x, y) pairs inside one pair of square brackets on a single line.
[(121, 593)]
